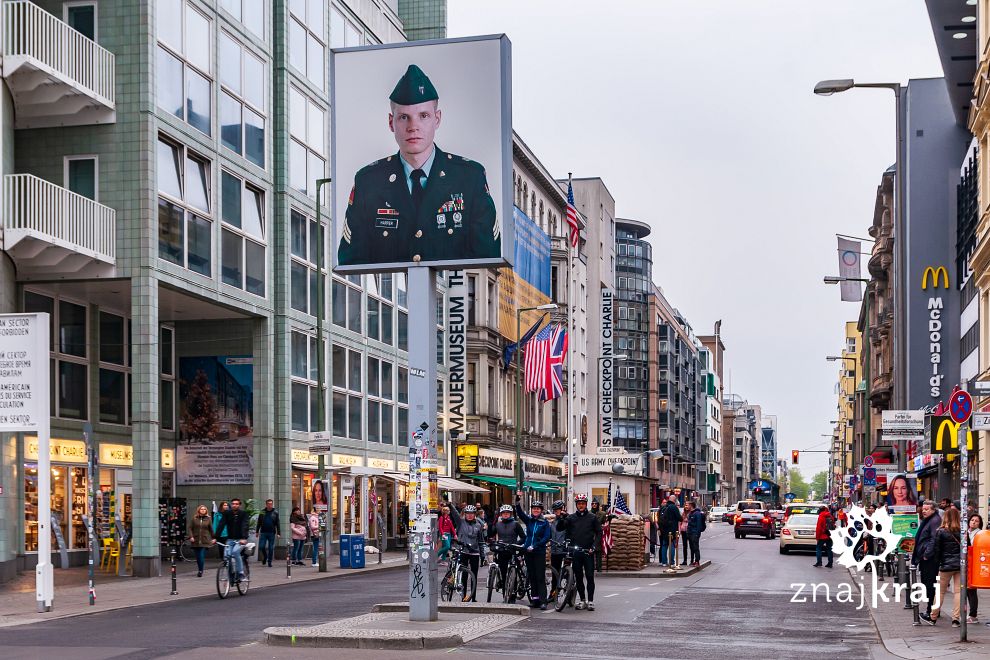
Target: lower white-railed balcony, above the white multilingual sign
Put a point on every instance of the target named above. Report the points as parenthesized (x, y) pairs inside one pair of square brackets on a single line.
[(53, 233)]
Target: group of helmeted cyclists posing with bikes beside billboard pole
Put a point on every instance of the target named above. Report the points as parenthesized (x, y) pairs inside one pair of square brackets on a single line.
[(580, 531)]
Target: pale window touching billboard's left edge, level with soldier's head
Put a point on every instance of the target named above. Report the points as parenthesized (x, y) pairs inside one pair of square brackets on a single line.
[(307, 148)]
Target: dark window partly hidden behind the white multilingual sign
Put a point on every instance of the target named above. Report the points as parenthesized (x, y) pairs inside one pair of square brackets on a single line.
[(68, 343)]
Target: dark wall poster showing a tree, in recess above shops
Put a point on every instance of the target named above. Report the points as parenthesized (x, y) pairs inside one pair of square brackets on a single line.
[(216, 434)]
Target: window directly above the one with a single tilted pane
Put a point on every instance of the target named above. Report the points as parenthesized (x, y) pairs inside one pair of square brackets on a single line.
[(242, 100)]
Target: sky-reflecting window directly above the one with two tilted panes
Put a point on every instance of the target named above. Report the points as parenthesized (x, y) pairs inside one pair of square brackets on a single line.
[(183, 63)]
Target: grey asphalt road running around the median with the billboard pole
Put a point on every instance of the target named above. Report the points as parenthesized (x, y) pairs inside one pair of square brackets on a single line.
[(740, 607)]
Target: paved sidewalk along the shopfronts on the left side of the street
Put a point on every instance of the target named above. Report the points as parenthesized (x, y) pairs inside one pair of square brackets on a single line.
[(17, 598)]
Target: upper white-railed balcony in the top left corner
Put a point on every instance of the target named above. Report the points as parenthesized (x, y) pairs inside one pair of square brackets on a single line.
[(56, 76)]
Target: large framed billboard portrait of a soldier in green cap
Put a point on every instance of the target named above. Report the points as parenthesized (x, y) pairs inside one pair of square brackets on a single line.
[(422, 158)]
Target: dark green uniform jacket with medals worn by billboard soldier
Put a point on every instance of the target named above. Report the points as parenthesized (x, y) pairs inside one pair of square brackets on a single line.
[(456, 219)]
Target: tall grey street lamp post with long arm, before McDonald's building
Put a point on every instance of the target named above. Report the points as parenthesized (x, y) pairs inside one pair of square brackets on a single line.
[(827, 88)]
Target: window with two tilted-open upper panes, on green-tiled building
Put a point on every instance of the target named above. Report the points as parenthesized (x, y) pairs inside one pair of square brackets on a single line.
[(184, 207)]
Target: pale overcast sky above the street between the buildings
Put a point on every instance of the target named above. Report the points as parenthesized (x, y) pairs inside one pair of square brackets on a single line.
[(700, 119)]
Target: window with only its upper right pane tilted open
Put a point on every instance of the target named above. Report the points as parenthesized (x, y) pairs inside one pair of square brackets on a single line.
[(242, 262)]
